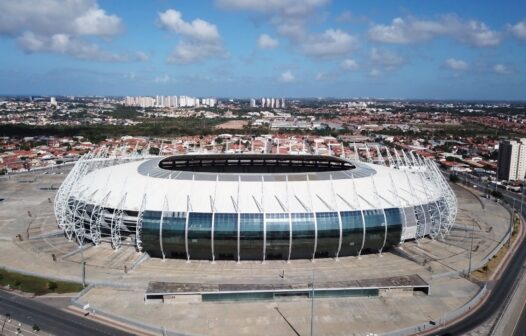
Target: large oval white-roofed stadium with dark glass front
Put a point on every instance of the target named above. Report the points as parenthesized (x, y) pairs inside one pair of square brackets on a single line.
[(254, 206)]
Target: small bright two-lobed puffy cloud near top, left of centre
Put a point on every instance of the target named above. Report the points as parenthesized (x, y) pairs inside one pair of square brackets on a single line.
[(197, 29)]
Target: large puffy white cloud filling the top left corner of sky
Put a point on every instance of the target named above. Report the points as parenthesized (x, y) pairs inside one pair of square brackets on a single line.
[(56, 26)]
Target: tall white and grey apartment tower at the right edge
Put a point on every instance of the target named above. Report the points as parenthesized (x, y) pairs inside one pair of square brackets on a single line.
[(511, 163)]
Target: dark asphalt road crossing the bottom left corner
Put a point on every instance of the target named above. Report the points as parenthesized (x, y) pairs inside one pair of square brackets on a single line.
[(50, 319)]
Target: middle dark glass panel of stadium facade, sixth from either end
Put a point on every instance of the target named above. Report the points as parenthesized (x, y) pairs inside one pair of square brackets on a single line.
[(278, 236)]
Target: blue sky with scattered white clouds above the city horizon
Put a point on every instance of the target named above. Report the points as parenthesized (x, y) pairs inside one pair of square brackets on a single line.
[(252, 48)]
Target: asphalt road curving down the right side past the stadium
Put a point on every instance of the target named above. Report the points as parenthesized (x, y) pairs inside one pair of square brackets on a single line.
[(503, 287)]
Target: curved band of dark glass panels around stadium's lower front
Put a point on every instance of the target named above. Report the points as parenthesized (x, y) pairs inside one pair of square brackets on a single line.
[(278, 230)]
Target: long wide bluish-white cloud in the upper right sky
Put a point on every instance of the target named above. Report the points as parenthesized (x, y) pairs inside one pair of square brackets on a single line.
[(412, 30)]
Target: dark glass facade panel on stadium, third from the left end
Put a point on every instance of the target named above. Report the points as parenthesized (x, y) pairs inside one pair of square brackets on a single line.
[(199, 235)]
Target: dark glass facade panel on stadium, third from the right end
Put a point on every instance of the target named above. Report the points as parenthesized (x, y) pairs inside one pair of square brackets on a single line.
[(352, 232)]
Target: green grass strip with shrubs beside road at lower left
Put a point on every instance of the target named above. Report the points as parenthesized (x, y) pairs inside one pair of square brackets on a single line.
[(36, 285)]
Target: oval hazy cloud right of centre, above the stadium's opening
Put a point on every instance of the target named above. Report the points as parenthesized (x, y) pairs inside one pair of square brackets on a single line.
[(330, 43)]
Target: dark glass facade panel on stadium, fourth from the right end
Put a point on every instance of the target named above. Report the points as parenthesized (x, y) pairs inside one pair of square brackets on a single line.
[(328, 234)]
